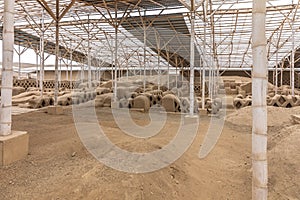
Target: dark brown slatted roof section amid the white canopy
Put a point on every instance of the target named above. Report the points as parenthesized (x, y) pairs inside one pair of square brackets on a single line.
[(167, 35)]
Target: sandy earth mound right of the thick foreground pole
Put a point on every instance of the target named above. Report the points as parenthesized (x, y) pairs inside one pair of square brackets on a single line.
[(284, 164)]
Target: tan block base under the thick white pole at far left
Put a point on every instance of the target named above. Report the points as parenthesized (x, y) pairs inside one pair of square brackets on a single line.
[(13, 147)]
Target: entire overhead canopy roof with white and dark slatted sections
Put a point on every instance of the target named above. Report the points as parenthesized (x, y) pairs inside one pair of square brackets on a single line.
[(228, 33)]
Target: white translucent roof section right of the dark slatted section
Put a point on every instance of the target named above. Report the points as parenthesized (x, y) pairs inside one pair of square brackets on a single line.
[(231, 33)]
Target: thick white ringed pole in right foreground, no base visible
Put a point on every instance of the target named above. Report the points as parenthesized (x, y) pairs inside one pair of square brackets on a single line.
[(259, 103)]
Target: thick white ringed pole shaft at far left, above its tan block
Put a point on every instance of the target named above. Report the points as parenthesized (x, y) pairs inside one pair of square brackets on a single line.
[(7, 67)]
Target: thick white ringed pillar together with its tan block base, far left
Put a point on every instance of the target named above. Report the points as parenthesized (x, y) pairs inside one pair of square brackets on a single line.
[(13, 144)]
